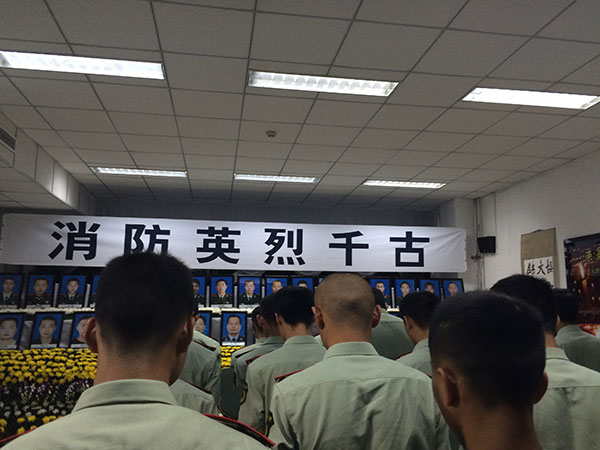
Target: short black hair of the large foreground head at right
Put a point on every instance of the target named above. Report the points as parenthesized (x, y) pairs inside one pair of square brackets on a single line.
[(495, 342)]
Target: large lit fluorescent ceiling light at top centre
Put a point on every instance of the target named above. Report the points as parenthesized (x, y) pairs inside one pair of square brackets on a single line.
[(312, 83)]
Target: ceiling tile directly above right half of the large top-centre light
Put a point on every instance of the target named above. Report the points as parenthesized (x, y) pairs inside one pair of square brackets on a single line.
[(378, 46)]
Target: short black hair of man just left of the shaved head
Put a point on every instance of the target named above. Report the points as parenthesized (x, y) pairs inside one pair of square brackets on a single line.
[(294, 305)]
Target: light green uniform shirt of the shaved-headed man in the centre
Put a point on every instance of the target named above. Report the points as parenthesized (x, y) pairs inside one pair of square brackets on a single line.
[(356, 399)]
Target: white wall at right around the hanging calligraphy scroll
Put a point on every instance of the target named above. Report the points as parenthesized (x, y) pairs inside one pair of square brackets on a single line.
[(566, 198)]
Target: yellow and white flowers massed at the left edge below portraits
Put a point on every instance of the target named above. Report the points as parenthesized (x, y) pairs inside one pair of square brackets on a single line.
[(41, 385)]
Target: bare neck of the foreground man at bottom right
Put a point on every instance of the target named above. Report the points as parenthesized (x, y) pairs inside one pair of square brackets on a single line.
[(500, 429)]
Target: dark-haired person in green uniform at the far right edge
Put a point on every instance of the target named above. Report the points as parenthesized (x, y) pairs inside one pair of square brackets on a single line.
[(581, 347)]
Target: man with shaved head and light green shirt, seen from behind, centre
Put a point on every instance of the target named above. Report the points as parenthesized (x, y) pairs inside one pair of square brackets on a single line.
[(354, 398)]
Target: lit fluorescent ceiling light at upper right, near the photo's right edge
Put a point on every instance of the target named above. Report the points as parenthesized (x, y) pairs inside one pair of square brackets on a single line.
[(532, 98)]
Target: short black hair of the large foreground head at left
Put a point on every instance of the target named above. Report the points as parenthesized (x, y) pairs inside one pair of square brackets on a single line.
[(142, 299)]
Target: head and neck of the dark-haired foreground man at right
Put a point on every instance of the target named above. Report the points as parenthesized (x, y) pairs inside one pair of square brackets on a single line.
[(486, 380)]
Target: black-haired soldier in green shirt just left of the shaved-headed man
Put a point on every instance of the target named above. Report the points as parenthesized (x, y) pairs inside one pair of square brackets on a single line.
[(293, 310)]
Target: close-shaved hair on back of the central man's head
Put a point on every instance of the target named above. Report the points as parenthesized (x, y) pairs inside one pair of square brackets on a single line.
[(347, 299)]
